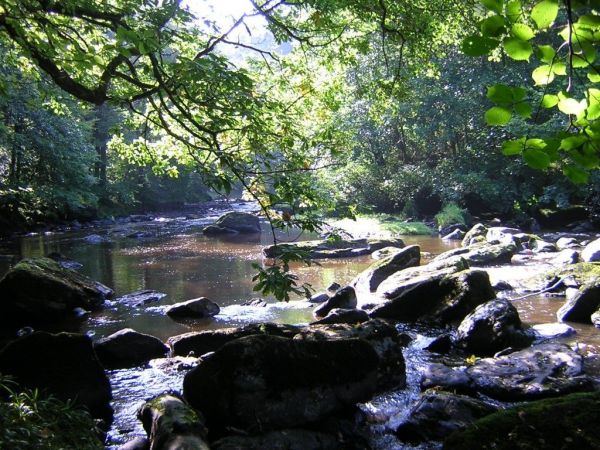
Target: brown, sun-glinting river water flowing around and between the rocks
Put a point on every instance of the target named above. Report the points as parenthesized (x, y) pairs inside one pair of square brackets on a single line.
[(176, 259)]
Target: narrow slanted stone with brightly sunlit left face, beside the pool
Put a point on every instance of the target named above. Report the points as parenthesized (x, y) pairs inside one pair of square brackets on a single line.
[(371, 278)]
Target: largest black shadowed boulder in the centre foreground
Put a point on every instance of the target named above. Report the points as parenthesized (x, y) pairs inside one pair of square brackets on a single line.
[(264, 383)]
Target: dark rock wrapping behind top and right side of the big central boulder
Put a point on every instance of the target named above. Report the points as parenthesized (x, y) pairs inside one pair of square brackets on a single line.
[(383, 337)]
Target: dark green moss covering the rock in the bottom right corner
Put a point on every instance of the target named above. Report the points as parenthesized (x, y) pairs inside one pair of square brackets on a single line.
[(569, 422)]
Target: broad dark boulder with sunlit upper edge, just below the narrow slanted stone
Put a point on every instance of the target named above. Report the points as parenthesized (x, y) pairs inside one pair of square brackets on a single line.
[(440, 299)]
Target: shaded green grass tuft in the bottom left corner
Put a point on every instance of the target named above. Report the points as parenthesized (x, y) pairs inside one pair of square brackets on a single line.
[(31, 421)]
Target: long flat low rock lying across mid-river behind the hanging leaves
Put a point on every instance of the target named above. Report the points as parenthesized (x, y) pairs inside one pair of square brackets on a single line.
[(334, 248)]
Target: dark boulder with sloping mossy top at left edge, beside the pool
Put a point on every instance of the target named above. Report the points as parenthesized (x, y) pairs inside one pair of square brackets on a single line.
[(39, 290)]
